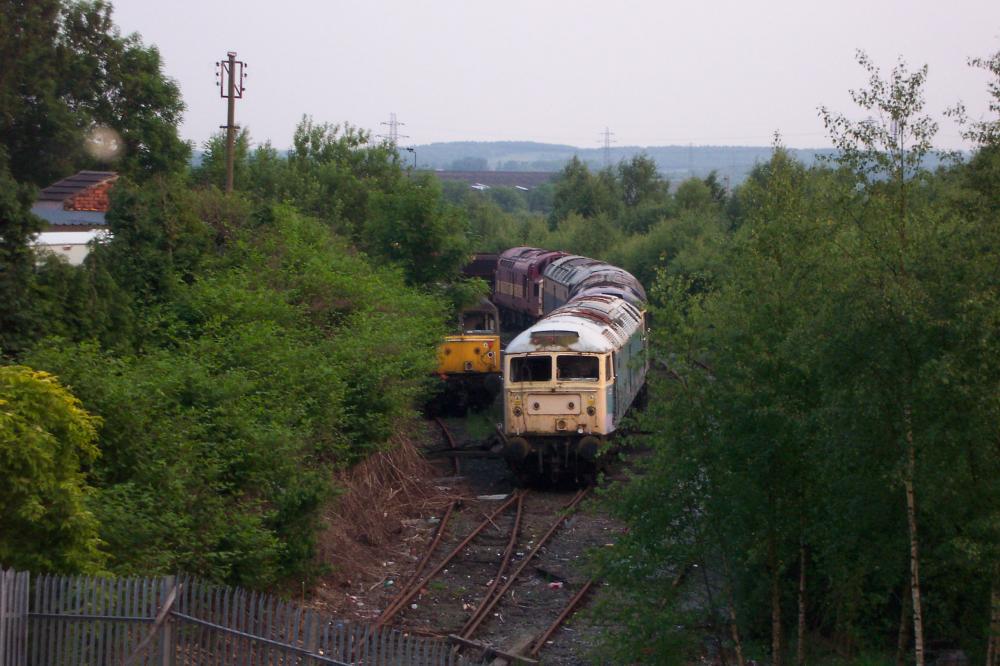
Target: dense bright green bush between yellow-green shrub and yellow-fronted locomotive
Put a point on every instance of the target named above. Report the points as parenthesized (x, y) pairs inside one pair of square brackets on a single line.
[(288, 356)]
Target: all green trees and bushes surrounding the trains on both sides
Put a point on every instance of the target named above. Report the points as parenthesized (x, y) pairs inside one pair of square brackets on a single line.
[(825, 462)]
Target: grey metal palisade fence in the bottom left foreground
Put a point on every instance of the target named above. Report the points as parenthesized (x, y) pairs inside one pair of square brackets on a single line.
[(167, 621)]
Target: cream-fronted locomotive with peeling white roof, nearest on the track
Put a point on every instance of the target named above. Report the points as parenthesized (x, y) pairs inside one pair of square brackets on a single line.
[(568, 381)]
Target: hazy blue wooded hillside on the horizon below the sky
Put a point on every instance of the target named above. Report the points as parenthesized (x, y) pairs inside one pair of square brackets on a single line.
[(675, 162)]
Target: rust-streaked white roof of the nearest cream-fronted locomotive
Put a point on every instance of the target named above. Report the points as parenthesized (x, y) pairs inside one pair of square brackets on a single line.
[(598, 324)]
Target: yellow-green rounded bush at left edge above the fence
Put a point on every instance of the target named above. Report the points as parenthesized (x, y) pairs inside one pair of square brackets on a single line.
[(47, 440)]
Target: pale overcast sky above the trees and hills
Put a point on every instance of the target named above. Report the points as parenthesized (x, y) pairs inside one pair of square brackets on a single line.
[(714, 72)]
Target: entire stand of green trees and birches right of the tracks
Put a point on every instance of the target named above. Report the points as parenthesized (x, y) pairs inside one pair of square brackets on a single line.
[(825, 475)]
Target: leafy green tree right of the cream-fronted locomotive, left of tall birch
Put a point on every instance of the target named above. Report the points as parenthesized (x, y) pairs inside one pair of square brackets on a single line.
[(734, 428)]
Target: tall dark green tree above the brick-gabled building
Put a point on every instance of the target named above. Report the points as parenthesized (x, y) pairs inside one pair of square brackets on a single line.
[(67, 71)]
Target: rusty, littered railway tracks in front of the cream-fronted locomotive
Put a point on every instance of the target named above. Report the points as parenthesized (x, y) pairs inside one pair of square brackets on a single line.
[(503, 567)]
